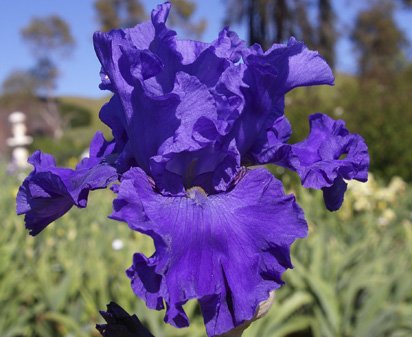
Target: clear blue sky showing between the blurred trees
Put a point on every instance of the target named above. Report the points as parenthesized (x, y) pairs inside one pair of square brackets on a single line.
[(80, 72)]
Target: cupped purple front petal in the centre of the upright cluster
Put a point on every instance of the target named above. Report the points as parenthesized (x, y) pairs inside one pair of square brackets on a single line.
[(180, 134)]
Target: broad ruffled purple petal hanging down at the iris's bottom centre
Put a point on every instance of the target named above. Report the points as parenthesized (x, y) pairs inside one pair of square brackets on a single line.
[(247, 231)]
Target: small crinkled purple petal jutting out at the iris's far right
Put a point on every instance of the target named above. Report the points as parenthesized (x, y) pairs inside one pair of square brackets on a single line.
[(329, 154)]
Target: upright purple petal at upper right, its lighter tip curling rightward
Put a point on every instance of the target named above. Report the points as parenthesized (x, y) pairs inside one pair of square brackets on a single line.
[(262, 82)]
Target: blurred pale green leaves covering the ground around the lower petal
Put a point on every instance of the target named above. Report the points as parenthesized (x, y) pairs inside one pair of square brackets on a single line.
[(351, 278)]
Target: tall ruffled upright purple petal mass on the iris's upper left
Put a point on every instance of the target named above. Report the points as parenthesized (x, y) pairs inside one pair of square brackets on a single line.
[(156, 83)]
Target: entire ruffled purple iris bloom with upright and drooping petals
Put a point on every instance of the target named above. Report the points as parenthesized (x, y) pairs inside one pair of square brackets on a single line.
[(186, 118)]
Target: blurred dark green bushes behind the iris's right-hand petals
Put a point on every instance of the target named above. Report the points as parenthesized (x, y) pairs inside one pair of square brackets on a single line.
[(379, 112)]
